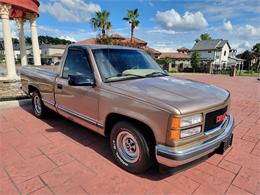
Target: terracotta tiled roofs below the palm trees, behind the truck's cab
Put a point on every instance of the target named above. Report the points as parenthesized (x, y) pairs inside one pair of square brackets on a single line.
[(120, 40)]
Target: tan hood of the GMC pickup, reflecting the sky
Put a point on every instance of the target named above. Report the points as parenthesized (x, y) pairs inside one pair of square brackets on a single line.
[(184, 95)]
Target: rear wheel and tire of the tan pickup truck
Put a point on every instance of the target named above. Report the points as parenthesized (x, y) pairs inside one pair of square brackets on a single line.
[(38, 107)]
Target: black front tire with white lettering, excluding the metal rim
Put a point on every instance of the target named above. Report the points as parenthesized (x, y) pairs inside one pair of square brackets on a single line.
[(144, 162)]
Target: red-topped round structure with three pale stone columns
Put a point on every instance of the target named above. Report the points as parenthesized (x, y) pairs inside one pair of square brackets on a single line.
[(20, 11)]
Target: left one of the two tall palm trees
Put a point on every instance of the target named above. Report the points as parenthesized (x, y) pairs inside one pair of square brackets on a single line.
[(100, 21)]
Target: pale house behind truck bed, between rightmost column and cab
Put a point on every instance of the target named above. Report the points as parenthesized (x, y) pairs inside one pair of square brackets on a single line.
[(51, 54)]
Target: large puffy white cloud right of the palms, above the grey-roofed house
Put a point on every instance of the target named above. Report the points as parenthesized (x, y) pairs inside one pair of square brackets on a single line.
[(171, 19)]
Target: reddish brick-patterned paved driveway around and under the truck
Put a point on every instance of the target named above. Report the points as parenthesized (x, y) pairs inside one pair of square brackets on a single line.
[(56, 156)]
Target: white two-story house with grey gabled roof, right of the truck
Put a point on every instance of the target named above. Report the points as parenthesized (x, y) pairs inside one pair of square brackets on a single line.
[(215, 52)]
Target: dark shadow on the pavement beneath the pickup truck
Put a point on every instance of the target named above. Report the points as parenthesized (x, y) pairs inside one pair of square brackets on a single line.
[(100, 144)]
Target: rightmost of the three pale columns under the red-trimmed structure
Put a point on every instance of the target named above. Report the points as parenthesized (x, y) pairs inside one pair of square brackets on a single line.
[(35, 42)]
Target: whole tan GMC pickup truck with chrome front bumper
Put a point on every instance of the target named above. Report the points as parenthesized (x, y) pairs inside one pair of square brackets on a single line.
[(122, 93)]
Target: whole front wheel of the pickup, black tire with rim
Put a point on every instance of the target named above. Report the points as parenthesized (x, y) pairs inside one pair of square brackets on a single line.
[(131, 150)]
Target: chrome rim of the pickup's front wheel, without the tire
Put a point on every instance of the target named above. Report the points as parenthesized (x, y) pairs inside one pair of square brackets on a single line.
[(128, 147)]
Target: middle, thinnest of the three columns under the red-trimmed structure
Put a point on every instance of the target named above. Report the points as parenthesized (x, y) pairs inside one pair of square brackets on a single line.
[(20, 23)]
